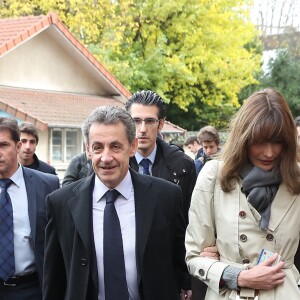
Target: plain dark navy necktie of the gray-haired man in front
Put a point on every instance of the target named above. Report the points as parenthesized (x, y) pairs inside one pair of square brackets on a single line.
[(113, 255)]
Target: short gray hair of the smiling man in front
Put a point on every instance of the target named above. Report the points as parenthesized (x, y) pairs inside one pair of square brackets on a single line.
[(109, 115)]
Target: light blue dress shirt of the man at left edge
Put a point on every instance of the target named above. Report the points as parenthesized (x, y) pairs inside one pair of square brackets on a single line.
[(24, 257)]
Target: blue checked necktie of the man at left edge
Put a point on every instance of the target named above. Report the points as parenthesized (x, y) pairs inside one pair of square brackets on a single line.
[(7, 257)]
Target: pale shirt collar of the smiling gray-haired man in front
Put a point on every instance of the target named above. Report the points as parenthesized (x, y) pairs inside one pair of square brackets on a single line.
[(124, 187)]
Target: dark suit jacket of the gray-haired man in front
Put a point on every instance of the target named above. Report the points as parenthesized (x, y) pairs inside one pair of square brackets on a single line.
[(70, 270)]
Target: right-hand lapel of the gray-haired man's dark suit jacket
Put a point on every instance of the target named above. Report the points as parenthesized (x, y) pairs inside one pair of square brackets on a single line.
[(145, 203)]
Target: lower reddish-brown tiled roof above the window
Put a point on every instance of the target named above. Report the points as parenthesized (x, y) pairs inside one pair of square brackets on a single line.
[(51, 109)]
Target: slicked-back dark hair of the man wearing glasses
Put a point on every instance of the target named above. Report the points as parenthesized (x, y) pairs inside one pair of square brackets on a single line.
[(148, 98)]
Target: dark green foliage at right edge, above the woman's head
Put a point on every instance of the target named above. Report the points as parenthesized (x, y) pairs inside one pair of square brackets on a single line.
[(284, 74)]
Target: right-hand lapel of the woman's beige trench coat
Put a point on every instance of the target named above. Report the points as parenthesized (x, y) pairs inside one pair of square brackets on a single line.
[(280, 206)]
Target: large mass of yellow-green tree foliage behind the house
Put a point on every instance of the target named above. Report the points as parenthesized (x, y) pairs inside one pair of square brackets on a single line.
[(197, 54)]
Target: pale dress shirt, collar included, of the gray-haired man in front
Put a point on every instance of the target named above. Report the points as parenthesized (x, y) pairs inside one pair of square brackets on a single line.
[(126, 212)]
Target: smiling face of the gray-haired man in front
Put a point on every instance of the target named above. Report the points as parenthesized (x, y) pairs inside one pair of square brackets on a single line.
[(110, 151)]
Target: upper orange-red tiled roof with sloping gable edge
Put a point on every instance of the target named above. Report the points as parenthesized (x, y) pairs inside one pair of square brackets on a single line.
[(13, 32)]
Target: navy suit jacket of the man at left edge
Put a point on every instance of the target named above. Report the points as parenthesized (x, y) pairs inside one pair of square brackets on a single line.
[(38, 186)]
